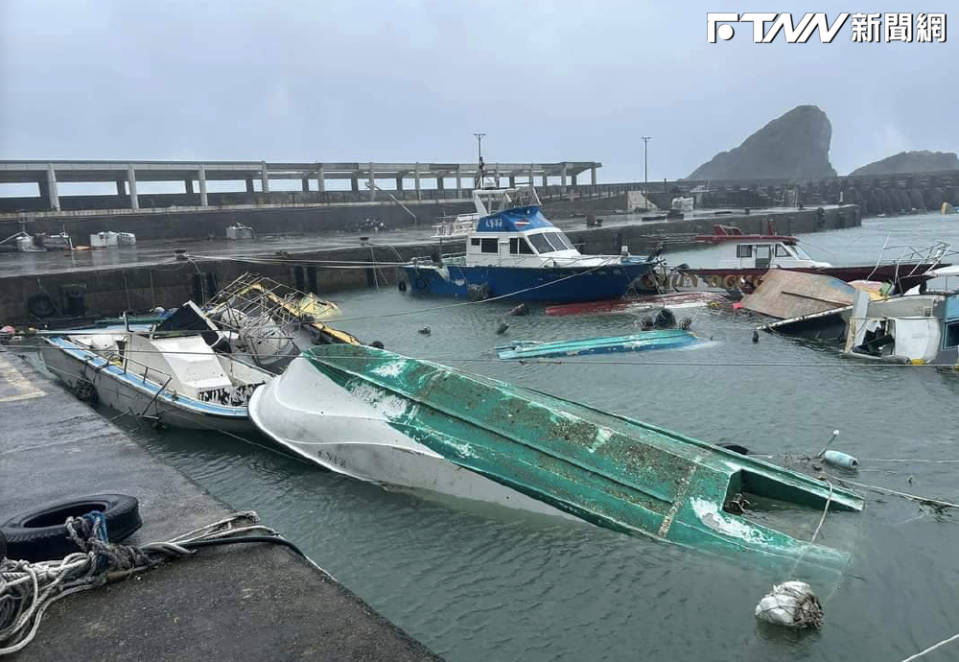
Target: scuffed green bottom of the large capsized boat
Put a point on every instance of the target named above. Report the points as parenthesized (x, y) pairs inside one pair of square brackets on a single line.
[(610, 470)]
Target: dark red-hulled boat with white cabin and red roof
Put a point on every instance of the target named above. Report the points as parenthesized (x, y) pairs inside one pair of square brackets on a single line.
[(746, 258)]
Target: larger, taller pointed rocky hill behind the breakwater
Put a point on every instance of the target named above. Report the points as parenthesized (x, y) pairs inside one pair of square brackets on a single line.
[(793, 146)]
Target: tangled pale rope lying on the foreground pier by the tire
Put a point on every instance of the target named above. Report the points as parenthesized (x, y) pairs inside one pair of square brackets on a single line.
[(28, 589)]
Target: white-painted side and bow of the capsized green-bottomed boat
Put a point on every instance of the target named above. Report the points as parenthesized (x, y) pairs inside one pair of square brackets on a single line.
[(311, 415)]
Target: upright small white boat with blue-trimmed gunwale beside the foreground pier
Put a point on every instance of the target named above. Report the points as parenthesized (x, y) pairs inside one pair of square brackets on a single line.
[(176, 381)]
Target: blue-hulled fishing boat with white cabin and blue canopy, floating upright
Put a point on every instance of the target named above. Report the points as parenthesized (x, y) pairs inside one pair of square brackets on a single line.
[(515, 252)]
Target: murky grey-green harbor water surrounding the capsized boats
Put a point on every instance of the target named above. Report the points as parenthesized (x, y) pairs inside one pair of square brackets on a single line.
[(480, 585)]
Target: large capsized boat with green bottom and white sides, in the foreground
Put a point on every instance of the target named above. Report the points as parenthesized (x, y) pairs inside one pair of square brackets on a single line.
[(381, 417)]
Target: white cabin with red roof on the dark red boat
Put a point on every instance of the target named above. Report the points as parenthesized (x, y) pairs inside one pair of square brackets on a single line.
[(758, 251)]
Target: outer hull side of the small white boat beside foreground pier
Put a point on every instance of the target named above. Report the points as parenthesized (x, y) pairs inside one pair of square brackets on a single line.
[(127, 394)]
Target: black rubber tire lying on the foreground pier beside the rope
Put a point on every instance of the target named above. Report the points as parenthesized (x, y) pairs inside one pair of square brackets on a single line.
[(39, 534)]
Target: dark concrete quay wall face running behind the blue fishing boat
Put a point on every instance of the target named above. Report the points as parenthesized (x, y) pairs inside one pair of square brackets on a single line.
[(95, 293)]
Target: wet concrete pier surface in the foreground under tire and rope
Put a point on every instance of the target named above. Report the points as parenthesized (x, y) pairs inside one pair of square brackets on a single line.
[(246, 603)]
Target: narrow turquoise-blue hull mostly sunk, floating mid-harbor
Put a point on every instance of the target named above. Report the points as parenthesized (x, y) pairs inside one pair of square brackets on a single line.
[(636, 342)]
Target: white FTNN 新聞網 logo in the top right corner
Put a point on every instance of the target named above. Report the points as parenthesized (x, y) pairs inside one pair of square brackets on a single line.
[(865, 27)]
